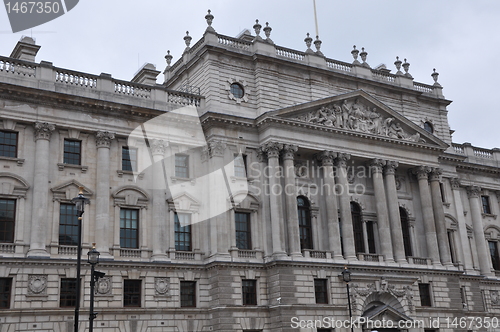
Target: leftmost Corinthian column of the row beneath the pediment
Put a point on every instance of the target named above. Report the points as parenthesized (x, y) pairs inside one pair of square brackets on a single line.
[(272, 149)]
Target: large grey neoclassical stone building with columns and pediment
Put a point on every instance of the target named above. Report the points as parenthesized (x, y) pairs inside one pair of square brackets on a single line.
[(232, 196)]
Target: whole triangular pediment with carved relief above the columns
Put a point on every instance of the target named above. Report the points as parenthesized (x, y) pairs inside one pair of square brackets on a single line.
[(358, 112)]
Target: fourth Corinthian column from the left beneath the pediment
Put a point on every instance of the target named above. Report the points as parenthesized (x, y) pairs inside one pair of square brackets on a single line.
[(345, 206)]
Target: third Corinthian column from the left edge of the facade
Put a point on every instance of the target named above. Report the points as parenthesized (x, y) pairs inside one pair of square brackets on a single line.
[(158, 186)]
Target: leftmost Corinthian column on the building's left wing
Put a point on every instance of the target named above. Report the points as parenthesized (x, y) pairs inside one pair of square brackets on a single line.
[(39, 226)]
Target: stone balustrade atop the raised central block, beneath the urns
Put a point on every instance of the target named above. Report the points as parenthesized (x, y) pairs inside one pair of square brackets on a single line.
[(269, 49)]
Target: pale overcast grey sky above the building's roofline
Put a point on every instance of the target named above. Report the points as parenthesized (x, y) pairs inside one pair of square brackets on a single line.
[(460, 38)]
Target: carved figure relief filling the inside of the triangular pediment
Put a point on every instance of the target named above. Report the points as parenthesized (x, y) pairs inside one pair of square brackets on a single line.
[(358, 117)]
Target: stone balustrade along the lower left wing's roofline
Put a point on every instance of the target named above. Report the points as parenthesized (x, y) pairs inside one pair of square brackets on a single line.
[(47, 77)]
